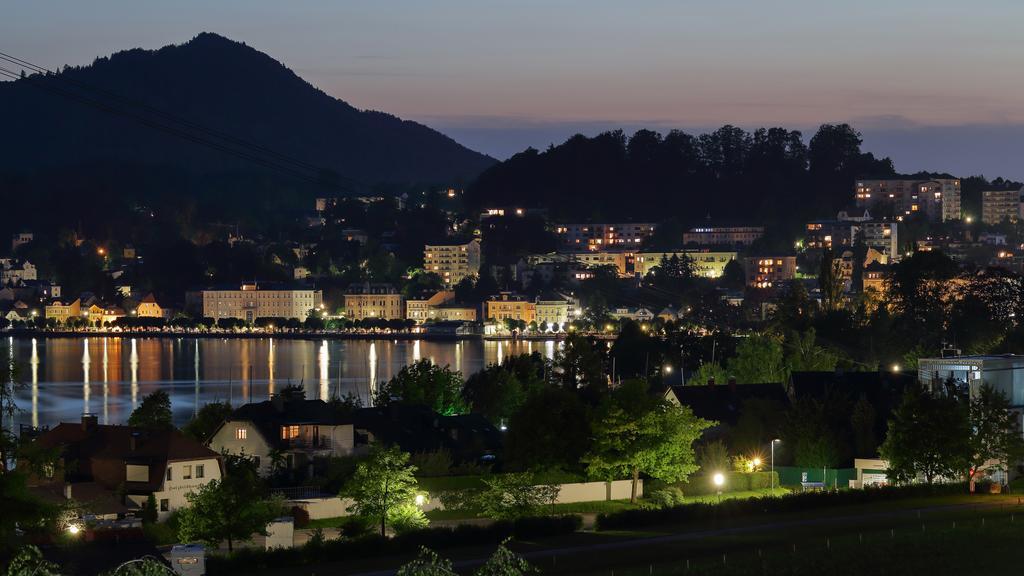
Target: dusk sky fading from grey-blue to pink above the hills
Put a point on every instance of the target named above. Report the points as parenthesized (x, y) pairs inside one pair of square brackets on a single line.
[(937, 86)]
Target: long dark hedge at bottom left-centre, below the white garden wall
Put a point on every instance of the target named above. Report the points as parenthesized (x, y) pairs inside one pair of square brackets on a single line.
[(249, 560)]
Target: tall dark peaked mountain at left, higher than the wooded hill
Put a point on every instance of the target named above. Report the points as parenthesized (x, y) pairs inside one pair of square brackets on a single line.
[(227, 87)]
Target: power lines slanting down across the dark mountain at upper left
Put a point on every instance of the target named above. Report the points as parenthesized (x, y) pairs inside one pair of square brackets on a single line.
[(45, 79)]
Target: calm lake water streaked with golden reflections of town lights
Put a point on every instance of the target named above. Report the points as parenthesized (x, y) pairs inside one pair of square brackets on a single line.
[(109, 377)]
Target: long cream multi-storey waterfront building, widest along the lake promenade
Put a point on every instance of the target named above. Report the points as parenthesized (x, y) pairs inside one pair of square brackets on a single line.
[(249, 302)]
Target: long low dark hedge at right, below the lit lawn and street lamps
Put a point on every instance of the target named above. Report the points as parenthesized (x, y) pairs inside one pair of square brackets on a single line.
[(687, 514)]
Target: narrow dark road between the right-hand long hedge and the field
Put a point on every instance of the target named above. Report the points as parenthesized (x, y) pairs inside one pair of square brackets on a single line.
[(699, 534)]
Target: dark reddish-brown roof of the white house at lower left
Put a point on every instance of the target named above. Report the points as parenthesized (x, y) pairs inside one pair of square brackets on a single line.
[(81, 445)]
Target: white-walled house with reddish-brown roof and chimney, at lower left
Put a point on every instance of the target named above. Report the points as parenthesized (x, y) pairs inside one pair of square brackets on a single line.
[(112, 471)]
